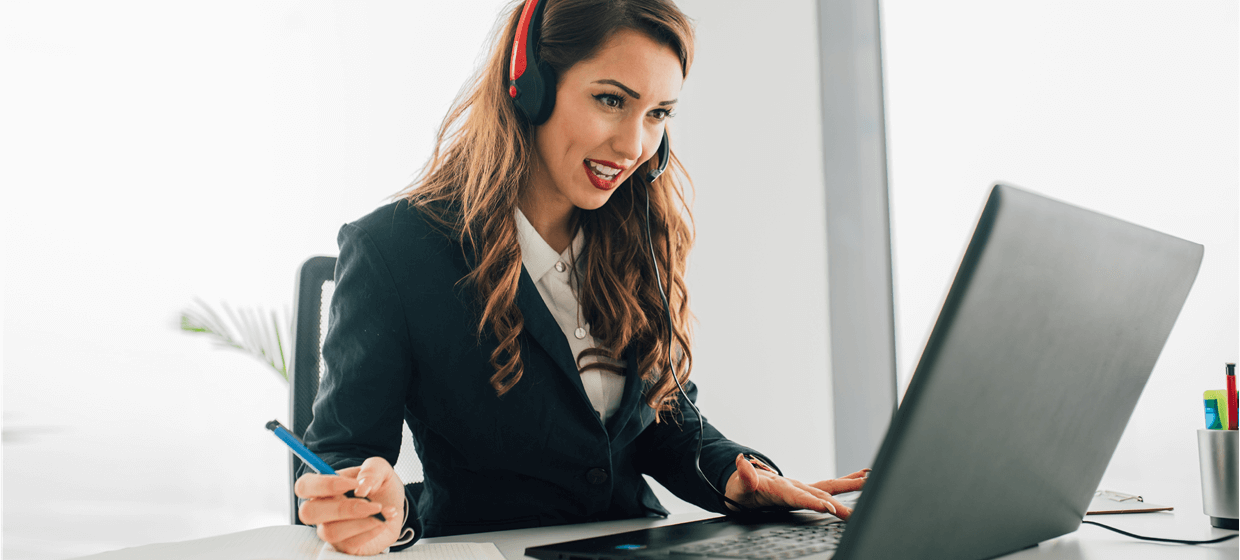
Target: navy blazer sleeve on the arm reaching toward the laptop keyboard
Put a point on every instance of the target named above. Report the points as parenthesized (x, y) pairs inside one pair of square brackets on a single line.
[(666, 452)]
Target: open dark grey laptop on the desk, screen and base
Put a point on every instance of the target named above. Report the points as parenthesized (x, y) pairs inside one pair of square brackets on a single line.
[(1043, 345)]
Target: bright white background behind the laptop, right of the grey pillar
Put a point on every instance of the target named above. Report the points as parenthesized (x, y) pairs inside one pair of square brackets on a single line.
[(1127, 108)]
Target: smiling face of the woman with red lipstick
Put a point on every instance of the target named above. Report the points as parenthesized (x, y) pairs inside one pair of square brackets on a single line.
[(609, 118)]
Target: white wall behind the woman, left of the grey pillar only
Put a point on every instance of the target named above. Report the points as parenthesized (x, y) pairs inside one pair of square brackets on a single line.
[(158, 152)]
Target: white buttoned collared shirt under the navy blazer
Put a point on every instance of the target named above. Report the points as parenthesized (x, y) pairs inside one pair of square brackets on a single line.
[(554, 276)]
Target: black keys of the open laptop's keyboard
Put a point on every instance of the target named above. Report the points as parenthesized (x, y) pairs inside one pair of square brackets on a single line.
[(776, 545)]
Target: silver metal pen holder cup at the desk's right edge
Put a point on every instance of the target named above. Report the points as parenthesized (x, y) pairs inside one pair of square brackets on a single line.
[(1221, 491)]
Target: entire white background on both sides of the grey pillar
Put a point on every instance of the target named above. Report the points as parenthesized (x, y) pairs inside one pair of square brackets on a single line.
[(158, 152)]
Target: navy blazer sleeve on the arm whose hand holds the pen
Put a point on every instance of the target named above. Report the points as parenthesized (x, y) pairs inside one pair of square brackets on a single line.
[(360, 406)]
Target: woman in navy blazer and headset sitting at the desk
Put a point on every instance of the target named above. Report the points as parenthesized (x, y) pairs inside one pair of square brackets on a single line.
[(508, 309)]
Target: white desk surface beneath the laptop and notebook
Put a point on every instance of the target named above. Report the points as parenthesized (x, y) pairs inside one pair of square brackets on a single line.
[(1089, 542)]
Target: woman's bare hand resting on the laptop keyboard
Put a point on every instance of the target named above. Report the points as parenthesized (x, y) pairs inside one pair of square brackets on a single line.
[(757, 489)]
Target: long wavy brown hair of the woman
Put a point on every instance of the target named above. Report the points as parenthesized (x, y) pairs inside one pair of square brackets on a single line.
[(482, 163)]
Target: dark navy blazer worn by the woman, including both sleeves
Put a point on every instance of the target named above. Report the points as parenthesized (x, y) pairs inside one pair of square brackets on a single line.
[(402, 345)]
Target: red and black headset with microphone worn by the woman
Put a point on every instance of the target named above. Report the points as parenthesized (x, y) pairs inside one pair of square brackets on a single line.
[(533, 82)]
